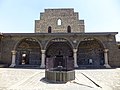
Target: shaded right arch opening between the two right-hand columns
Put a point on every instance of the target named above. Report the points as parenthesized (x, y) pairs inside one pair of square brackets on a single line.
[(90, 53)]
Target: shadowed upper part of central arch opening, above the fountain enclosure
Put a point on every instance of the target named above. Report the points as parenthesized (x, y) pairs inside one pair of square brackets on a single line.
[(59, 46)]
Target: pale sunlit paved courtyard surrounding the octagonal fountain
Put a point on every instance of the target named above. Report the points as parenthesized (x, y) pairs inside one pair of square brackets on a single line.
[(32, 79)]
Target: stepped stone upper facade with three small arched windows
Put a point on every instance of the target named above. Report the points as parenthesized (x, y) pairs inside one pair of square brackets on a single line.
[(59, 21)]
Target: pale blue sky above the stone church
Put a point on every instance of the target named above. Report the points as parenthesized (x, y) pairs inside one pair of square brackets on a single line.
[(17, 16)]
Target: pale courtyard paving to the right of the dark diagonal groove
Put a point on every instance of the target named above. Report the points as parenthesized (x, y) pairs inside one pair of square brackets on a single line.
[(109, 77)]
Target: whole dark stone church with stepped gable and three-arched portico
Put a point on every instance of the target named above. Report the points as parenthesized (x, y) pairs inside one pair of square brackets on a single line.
[(59, 32)]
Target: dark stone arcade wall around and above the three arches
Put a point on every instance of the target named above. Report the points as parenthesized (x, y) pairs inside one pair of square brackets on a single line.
[(9, 42)]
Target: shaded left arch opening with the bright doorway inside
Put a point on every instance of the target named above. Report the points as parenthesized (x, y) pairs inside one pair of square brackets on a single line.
[(28, 52)]
